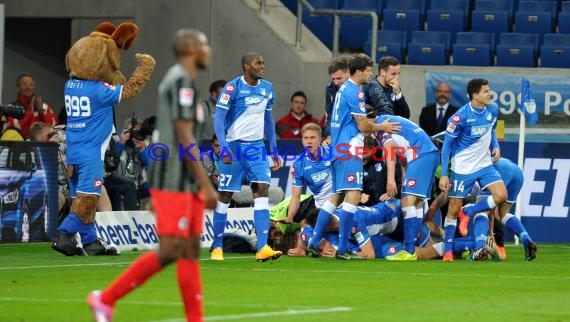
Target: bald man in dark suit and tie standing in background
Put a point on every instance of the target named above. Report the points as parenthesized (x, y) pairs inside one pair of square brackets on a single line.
[(434, 116)]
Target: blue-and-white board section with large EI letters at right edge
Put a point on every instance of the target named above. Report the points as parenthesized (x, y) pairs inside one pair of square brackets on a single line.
[(545, 191)]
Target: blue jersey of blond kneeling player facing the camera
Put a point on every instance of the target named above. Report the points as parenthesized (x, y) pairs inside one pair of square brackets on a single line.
[(315, 174)]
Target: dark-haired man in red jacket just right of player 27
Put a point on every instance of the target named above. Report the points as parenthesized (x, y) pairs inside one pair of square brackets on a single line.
[(290, 125)]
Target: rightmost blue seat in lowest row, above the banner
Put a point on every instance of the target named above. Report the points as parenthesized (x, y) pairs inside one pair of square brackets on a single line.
[(555, 52)]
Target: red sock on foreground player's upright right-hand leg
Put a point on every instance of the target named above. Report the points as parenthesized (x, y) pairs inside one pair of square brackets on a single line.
[(191, 288)]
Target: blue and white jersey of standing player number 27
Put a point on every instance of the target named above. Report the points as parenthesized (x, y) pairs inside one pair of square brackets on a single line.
[(246, 107)]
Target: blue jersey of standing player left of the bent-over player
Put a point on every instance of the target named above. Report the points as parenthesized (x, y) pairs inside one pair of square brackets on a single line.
[(349, 101)]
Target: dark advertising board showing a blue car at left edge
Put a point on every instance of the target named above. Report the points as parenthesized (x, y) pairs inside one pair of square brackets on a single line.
[(28, 191)]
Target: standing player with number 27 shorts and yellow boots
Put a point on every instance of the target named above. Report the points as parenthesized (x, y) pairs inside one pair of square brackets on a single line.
[(243, 116)]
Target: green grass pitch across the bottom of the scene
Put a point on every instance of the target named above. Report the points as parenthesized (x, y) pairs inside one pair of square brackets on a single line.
[(37, 284)]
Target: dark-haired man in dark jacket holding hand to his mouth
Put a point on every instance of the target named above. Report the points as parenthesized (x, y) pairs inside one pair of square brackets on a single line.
[(384, 92)]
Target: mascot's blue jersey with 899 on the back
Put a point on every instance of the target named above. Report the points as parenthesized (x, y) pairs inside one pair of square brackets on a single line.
[(89, 107)]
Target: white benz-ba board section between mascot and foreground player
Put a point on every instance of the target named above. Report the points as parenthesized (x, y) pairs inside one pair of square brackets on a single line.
[(128, 234)]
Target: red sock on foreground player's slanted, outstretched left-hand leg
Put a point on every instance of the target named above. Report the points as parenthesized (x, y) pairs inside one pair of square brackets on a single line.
[(141, 270)]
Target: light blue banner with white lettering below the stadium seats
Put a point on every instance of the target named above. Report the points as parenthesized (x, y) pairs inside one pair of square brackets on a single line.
[(551, 94)]
